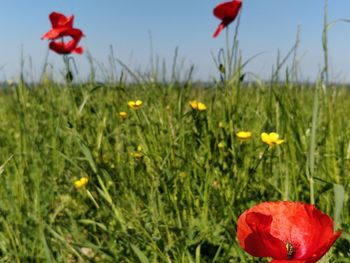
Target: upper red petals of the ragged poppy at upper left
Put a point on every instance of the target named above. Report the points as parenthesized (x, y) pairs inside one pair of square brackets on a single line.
[(59, 24)]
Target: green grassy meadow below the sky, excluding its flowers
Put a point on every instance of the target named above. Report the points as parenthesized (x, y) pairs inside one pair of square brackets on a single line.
[(167, 183)]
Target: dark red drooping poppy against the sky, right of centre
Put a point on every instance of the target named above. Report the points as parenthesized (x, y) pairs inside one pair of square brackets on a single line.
[(226, 12)]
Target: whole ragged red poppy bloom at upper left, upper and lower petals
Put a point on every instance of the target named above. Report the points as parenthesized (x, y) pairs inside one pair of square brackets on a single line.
[(62, 27)]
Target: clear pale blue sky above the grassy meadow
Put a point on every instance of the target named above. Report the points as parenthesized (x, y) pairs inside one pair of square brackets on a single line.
[(266, 26)]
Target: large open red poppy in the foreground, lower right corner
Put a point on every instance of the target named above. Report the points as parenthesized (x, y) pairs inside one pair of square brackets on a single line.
[(286, 231)]
